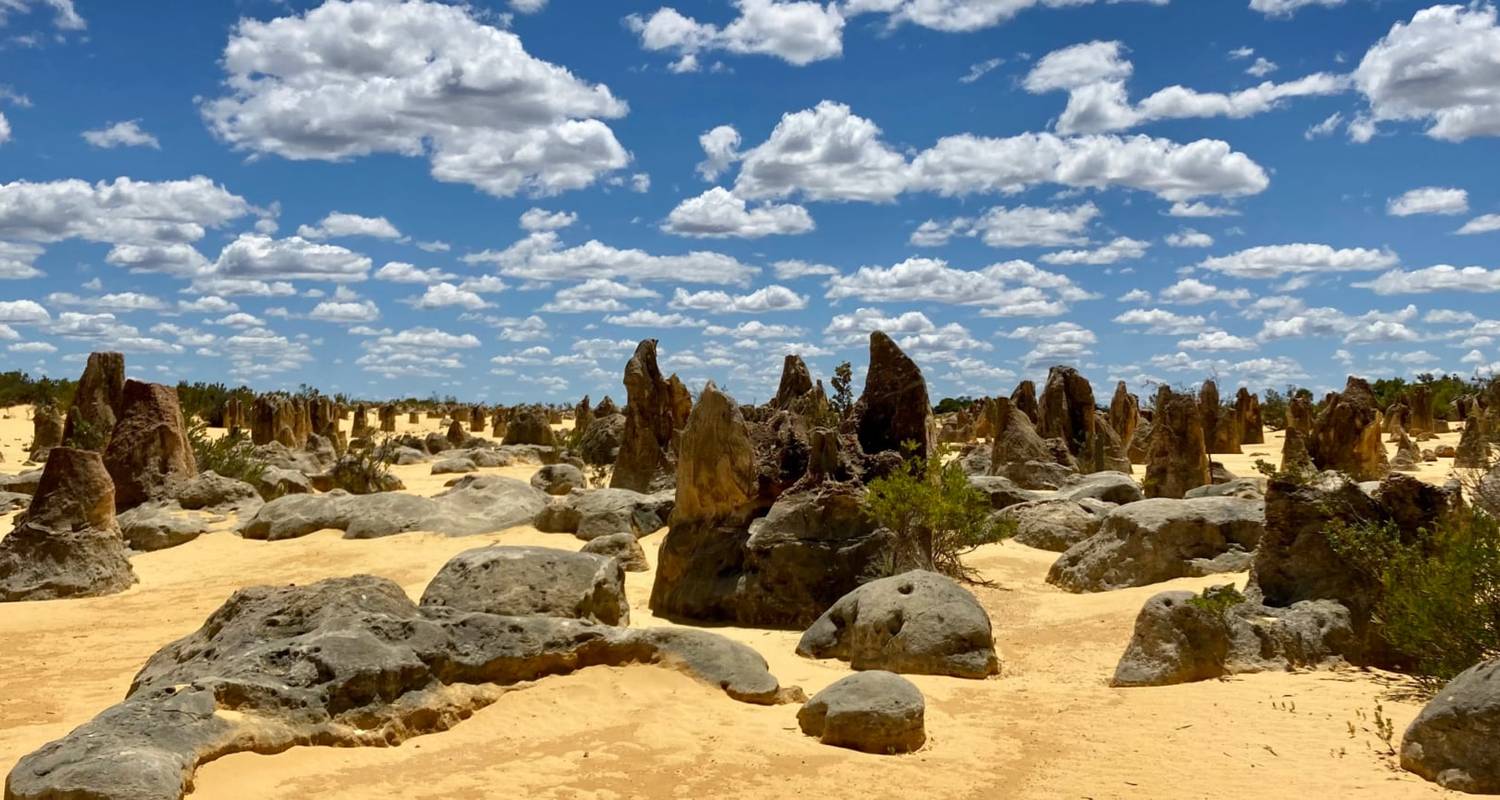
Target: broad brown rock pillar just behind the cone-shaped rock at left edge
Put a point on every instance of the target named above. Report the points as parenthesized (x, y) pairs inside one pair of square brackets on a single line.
[(149, 451)]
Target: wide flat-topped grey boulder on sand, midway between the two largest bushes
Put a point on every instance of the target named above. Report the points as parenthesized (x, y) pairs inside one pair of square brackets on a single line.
[(1162, 540)]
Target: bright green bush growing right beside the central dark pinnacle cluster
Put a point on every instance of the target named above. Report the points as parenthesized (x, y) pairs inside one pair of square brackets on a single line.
[(938, 517)]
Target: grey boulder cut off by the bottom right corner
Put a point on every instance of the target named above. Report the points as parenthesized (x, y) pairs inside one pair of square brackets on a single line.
[(1456, 741)]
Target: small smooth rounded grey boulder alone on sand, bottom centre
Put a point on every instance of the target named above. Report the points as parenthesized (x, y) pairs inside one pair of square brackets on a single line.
[(871, 712)]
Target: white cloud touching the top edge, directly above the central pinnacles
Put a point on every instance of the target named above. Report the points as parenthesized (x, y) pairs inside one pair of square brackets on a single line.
[(799, 32)]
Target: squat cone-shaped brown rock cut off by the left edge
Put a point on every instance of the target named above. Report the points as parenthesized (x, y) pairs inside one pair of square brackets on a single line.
[(68, 544)]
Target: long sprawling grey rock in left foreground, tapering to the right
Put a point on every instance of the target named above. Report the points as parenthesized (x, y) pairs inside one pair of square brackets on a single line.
[(343, 663)]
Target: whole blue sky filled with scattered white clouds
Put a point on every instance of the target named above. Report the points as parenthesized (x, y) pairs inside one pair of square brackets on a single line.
[(497, 200)]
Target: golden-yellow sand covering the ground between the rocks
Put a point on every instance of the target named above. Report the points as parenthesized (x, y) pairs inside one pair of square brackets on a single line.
[(1048, 727)]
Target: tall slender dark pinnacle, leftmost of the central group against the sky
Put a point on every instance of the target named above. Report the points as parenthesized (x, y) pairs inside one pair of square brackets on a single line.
[(653, 418)]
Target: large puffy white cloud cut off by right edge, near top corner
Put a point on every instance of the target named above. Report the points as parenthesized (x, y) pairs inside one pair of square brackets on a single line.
[(1442, 68)]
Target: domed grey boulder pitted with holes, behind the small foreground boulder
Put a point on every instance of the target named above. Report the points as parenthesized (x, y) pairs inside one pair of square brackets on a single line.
[(917, 622)]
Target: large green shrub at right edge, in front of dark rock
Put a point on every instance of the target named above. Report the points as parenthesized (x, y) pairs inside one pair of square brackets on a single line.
[(1441, 591)]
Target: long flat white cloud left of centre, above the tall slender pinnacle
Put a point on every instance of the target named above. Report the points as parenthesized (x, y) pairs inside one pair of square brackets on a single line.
[(541, 257)]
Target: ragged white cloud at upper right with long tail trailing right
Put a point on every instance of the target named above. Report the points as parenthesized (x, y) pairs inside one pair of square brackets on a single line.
[(1094, 76)]
